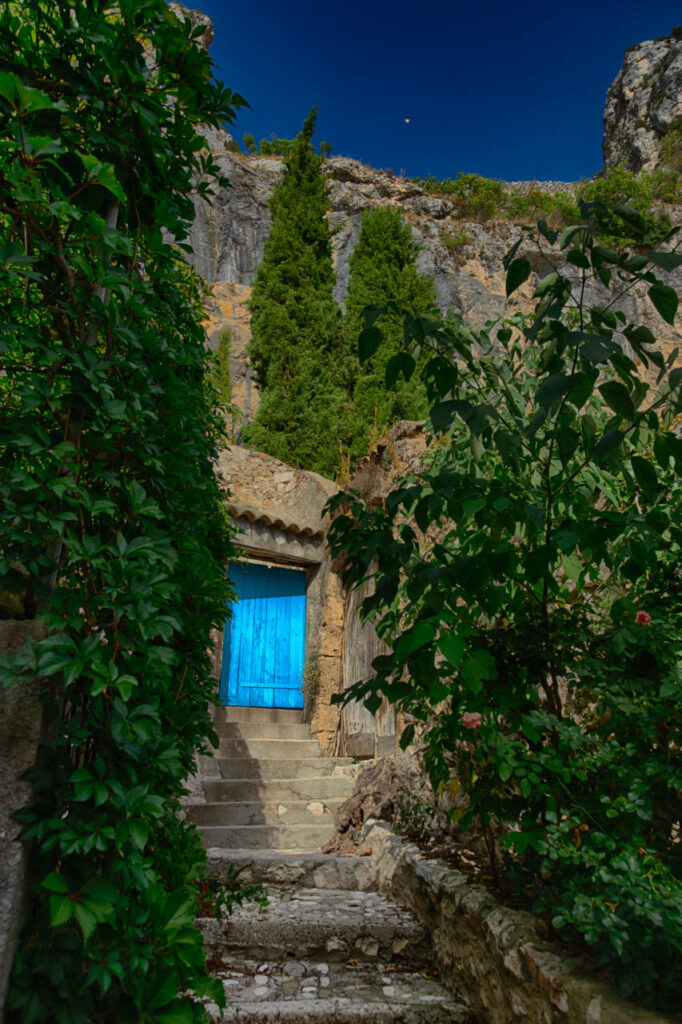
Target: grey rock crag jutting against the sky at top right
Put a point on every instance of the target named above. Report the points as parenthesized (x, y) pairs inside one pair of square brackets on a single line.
[(643, 104)]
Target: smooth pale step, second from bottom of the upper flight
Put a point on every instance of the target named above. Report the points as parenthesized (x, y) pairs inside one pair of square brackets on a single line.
[(259, 814)]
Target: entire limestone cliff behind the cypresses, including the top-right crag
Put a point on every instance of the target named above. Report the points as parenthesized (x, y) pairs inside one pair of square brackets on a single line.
[(463, 258)]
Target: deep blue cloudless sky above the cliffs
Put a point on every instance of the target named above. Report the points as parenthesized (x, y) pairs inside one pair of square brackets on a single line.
[(511, 91)]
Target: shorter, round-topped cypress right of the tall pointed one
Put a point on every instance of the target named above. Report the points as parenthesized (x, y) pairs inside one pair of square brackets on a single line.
[(383, 270)]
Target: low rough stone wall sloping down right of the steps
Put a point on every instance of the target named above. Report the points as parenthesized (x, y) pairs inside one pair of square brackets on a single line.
[(493, 958)]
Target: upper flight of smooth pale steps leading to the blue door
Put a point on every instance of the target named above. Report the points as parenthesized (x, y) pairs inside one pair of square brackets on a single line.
[(269, 786)]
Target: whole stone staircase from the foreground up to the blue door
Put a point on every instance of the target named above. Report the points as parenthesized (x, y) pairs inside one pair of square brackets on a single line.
[(327, 950)]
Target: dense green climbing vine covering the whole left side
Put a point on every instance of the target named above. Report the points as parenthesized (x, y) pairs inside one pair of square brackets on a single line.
[(114, 530)]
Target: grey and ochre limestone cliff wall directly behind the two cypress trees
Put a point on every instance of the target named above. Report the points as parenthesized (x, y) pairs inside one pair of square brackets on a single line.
[(229, 240)]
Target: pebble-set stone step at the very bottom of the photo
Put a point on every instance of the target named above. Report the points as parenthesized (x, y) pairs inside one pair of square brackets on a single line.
[(303, 992)]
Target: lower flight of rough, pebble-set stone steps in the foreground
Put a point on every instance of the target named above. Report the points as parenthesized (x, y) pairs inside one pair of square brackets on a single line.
[(322, 952)]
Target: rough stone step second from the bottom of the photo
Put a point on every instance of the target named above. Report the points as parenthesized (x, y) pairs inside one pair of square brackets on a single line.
[(330, 925)]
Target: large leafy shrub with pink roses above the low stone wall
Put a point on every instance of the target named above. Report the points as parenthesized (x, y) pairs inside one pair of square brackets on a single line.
[(528, 586)]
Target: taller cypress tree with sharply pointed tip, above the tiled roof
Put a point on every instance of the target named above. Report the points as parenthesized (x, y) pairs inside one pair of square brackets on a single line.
[(296, 324)]
